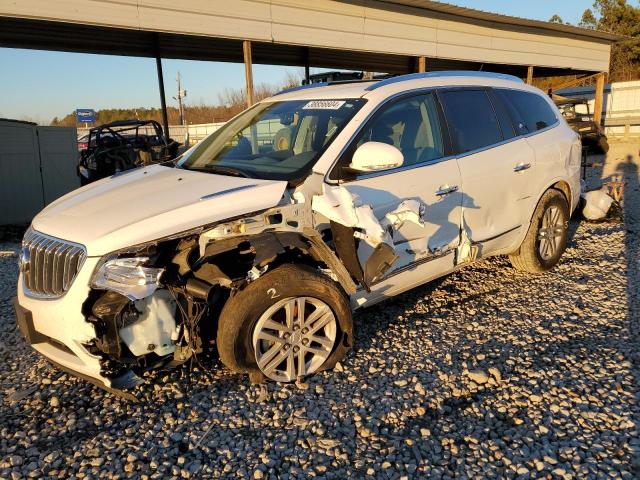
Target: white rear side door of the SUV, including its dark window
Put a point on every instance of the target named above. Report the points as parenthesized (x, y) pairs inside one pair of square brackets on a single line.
[(495, 164)]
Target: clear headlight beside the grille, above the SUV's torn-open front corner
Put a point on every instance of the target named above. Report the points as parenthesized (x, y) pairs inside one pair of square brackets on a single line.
[(128, 276)]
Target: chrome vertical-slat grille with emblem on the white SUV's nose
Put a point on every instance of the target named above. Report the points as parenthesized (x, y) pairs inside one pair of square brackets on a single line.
[(49, 265)]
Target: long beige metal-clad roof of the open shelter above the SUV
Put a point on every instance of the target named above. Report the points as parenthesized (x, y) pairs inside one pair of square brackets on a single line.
[(366, 26)]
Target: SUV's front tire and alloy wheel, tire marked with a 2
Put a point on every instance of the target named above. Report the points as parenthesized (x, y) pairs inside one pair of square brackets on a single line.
[(246, 319)]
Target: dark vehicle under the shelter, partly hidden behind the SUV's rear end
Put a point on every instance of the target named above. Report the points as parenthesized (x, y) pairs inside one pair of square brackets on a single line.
[(576, 111)]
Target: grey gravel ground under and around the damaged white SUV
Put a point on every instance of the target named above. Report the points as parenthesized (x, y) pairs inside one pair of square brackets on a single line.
[(485, 373)]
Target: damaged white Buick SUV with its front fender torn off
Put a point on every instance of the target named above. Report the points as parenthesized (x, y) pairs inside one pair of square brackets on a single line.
[(261, 240)]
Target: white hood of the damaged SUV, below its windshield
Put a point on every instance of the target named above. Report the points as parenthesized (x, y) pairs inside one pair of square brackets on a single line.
[(150, 203)]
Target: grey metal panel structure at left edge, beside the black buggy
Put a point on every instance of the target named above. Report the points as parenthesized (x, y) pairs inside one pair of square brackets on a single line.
[(37, 165)]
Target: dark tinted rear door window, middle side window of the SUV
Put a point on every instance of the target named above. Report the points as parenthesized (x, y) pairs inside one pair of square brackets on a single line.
[(471, 119)]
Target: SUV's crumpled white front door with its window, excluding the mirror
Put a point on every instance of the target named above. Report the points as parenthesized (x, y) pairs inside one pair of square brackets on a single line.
[(428, 175)]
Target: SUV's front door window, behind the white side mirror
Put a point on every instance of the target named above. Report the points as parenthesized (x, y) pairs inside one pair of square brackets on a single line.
[(411, 125)]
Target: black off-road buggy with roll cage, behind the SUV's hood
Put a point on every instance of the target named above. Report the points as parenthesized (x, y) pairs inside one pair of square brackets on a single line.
[(119, 146)]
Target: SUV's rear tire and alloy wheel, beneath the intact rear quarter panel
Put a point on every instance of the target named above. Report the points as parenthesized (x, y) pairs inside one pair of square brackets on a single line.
[(537, 254)]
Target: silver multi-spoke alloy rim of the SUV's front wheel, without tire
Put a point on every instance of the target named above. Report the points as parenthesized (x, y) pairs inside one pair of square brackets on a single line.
[(294, 338)]
